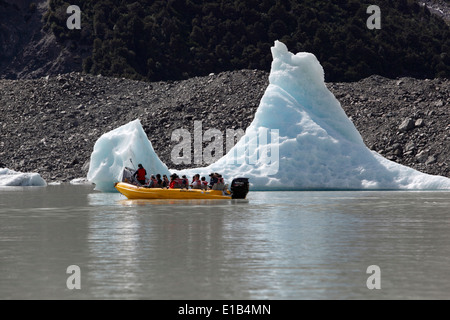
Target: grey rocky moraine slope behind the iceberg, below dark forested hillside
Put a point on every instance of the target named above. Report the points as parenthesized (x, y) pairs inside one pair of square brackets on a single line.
[(49, 125)]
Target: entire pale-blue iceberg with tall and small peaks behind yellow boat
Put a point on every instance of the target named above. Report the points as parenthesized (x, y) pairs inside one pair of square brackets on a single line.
[(316, 146)]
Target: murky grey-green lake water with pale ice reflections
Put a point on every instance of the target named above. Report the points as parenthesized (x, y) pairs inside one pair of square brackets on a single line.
[(276, 245)]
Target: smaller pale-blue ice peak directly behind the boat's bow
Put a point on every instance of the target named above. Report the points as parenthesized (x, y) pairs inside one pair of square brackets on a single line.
[(126, 146)]
